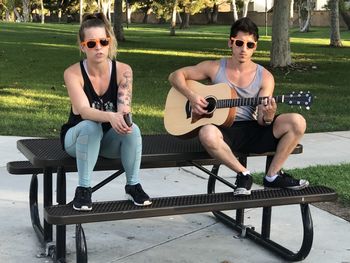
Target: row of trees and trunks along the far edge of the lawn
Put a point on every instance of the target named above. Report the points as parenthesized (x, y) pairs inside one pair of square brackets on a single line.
[(178, 12)]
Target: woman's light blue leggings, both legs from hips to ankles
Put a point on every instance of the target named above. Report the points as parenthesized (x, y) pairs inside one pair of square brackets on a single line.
[(86, 141)]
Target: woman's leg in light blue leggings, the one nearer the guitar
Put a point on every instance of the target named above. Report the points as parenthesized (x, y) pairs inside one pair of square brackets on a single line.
[(128, 147)]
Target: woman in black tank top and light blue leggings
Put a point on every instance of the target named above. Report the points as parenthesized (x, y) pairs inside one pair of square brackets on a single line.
[(100, 91)]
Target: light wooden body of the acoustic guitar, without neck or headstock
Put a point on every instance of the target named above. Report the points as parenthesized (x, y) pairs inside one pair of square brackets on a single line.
[(178, 117)]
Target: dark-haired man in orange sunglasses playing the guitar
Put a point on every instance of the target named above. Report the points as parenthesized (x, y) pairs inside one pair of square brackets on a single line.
[(255, 129)]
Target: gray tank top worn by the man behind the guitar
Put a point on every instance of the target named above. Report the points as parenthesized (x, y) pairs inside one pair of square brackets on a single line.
[(243, 113)]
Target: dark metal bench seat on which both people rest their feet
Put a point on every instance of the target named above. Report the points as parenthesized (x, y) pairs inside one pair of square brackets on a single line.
[(119, 210)]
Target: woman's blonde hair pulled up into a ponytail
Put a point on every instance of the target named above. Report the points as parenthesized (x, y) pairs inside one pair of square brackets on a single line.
[(99, 20)]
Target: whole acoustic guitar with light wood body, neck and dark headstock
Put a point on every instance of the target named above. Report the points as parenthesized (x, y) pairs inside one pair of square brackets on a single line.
[(222, 102)]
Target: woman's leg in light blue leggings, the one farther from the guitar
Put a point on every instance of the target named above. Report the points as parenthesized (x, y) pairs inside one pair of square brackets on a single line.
[(83, 142)]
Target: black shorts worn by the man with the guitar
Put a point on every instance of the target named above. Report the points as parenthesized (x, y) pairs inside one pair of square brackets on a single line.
[(249, 137)]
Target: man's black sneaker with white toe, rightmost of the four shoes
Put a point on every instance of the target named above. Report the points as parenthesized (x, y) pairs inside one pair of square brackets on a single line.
[(284, 180)]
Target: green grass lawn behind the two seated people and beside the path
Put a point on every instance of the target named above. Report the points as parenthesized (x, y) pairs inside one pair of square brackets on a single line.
[(34, 102)]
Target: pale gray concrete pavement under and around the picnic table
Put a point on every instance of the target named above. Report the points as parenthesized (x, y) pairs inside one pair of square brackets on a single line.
[(186, 238)]
